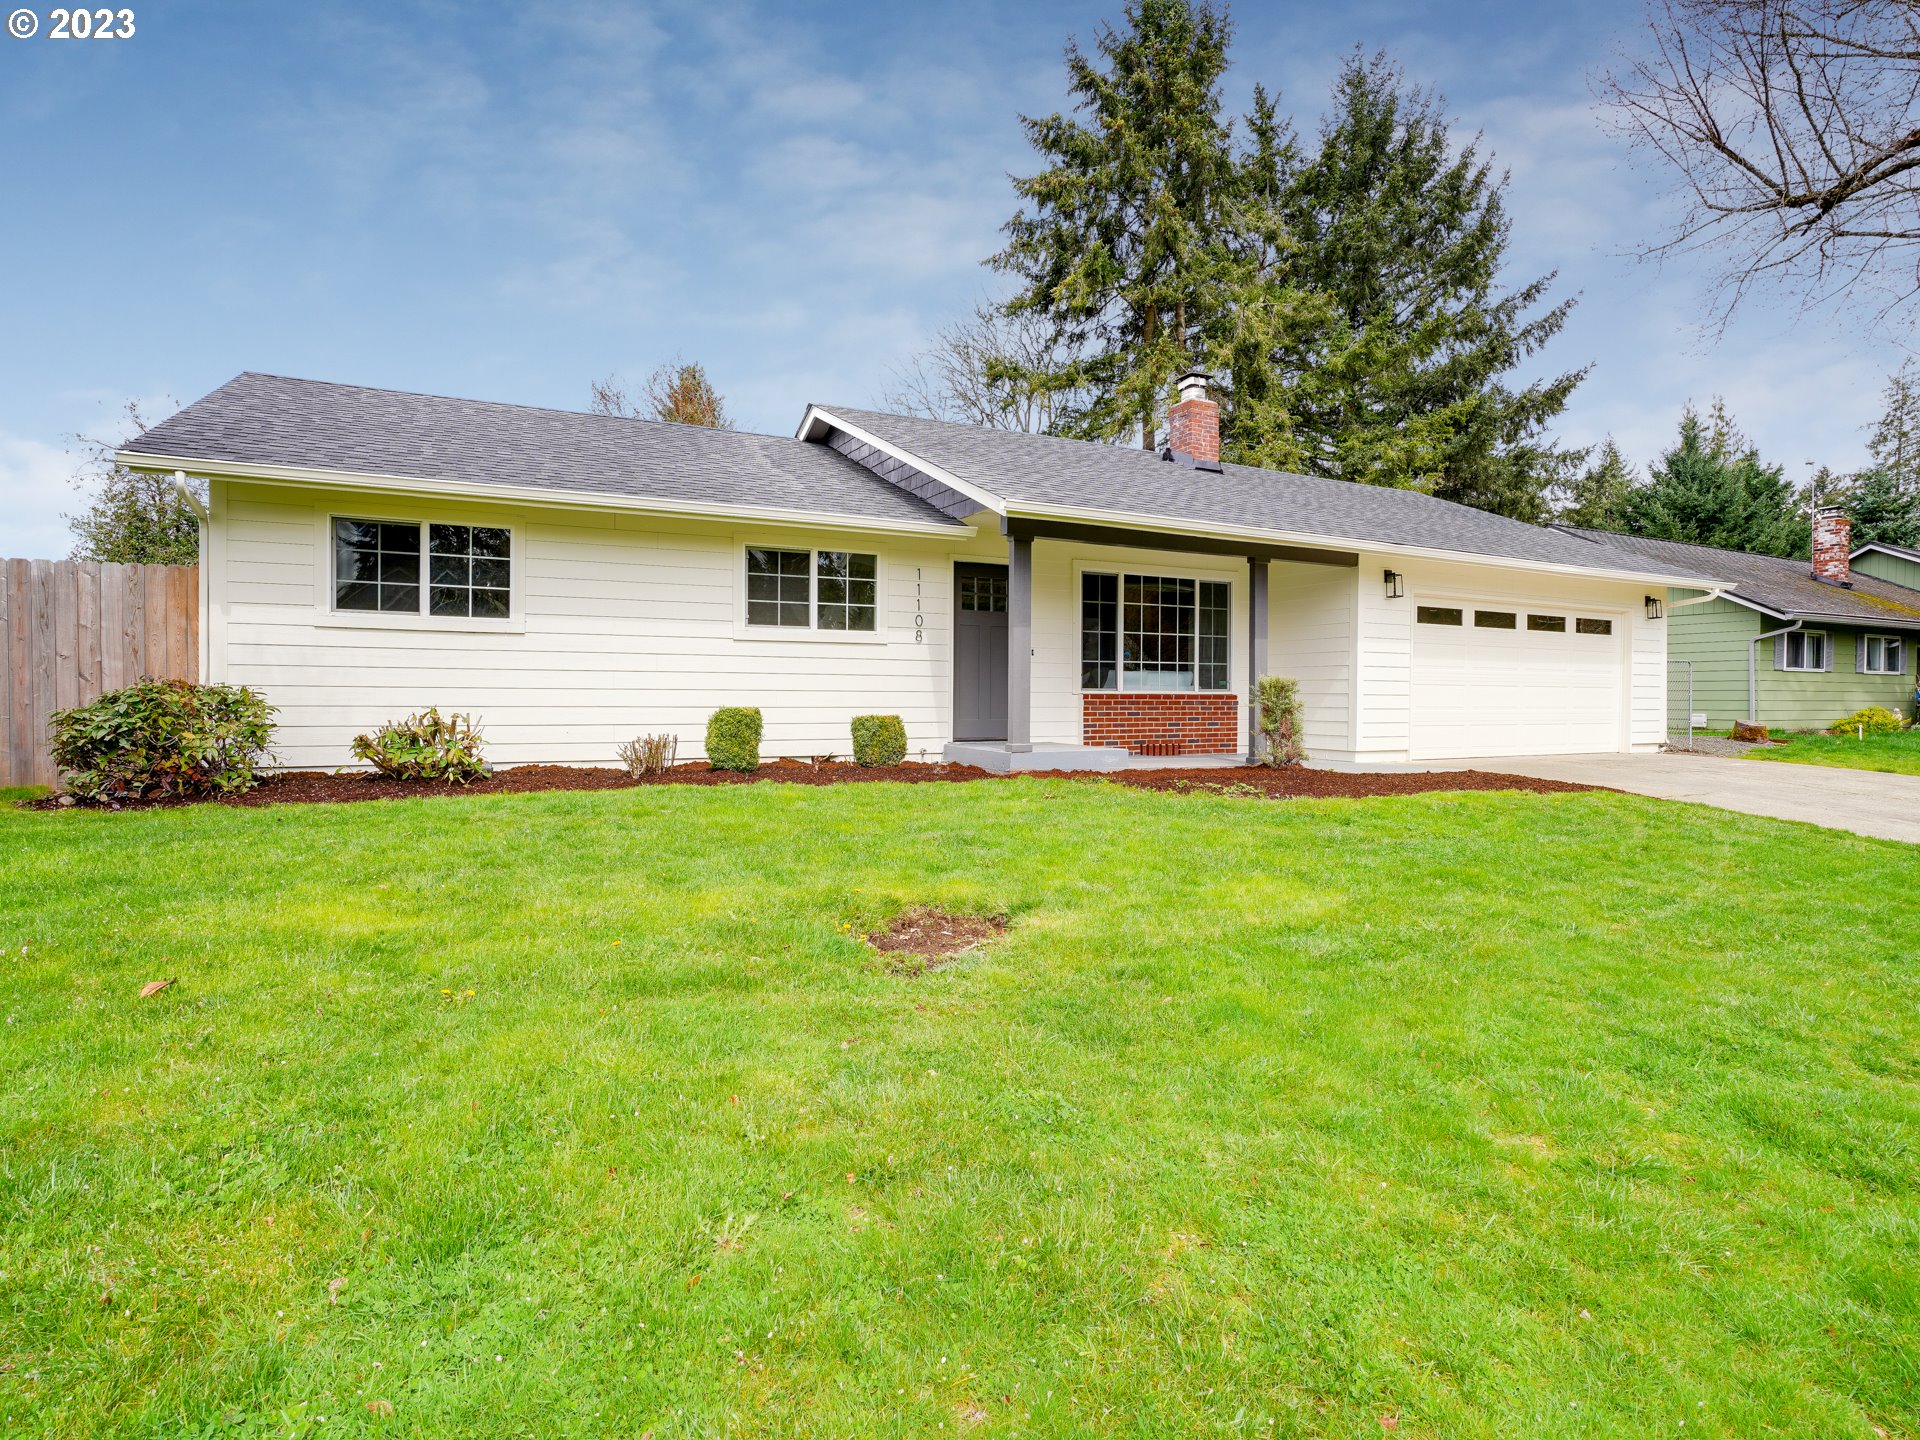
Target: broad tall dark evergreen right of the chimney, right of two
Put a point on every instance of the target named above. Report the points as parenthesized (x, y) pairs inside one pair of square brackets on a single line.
[(1404, 233)]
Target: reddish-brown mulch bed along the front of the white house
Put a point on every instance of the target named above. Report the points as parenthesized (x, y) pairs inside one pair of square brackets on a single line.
[(314, 786)]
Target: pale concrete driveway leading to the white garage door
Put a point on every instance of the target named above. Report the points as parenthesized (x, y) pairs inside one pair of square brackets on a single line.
[(1863, 802)]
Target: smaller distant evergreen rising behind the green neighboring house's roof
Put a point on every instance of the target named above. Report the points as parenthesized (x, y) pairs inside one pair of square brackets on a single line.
[(1712, 489)]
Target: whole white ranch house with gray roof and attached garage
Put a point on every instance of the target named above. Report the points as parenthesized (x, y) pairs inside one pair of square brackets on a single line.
[(1022, 602)]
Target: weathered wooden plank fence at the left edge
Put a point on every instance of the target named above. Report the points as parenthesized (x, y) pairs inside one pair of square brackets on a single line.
[(76, 629)]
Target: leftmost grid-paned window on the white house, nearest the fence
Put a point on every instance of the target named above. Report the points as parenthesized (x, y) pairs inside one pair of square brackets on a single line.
[(423, 569)]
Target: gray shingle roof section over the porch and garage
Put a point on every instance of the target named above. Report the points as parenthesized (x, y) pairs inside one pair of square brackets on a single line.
[(1055, 473)]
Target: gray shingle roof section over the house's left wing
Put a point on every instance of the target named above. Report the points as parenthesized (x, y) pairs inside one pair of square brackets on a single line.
[(270, 420)]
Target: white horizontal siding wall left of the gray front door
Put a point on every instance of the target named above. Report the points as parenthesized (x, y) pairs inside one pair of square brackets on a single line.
[(623, 627)]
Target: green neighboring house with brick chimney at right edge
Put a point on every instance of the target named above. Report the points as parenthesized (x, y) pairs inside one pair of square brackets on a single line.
[(1788, 646)]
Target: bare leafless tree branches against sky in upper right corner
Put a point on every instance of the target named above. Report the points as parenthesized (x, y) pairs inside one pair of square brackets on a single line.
[(1792, 130)]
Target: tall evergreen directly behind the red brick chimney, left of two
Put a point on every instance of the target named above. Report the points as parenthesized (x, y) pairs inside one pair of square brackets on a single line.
[(1120, 243)]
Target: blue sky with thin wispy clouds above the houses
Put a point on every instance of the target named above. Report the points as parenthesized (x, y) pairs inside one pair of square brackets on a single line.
[(514, 201)]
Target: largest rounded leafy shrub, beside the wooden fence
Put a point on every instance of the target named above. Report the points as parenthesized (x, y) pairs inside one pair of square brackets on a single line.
[(162, 738)]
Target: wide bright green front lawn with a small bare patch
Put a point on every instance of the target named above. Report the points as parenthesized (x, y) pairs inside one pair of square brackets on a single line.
[(592, 1116)]
